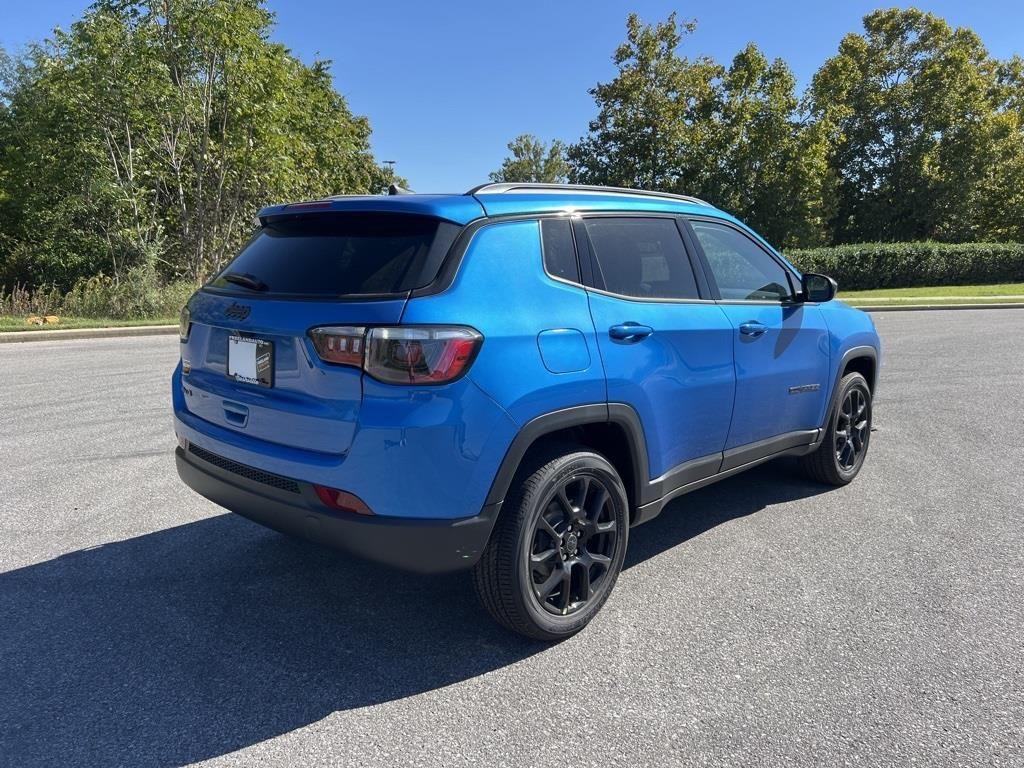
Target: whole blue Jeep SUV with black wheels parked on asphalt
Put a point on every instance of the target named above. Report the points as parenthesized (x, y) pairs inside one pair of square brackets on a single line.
[(508, 380)]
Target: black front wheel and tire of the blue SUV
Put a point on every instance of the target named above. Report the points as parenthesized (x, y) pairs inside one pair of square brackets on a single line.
[(839, 459)]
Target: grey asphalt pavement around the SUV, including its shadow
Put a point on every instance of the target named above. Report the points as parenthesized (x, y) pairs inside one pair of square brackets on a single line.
[(764, 621)]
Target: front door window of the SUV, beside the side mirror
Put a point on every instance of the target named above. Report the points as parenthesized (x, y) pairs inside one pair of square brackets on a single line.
[(742, 270)]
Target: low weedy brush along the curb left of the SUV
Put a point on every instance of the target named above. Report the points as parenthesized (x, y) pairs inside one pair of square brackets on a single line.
[(139, 295)]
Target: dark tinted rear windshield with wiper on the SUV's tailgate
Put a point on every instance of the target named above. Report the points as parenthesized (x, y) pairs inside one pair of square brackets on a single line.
[(342, 255)]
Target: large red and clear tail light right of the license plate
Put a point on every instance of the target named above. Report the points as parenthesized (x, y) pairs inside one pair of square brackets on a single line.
[(402, 355)]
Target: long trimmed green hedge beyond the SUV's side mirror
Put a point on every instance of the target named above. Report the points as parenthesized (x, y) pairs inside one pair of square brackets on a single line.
[(867, 266)]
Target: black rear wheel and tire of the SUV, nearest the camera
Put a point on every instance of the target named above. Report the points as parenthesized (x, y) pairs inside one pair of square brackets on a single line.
[(568, 514)]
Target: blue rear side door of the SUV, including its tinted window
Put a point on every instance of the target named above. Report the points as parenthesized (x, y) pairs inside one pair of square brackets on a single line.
[(667, 352)]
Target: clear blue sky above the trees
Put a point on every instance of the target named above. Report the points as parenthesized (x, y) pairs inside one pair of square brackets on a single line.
[(448, 84)]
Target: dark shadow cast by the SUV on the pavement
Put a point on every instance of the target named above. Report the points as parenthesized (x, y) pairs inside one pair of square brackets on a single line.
[(199, 641)]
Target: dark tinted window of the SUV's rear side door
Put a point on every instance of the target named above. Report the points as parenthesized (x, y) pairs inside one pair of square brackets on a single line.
[(642, 258)]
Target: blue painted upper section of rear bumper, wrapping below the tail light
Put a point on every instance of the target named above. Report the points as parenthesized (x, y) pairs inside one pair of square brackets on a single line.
[(428, 454)]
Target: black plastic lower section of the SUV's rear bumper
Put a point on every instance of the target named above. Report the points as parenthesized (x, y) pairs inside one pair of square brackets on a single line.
[(424, 546)]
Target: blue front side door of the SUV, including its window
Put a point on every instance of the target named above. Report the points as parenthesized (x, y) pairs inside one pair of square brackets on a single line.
[(782, 347)]
